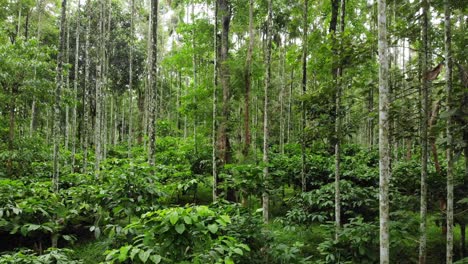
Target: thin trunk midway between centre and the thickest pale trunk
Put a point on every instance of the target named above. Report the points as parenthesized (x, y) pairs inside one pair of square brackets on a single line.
[(304, 89)]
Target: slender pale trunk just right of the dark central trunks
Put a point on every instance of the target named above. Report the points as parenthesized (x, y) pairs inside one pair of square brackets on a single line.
[(266, 177)]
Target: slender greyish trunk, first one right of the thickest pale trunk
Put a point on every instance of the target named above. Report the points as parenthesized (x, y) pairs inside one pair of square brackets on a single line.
[(424, 135)]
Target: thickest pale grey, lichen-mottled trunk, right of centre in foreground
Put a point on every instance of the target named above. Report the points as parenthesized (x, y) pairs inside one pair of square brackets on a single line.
[(384, 148)]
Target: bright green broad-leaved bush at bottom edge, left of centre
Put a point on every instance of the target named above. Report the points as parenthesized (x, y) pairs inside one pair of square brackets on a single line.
[(192, 234)]
